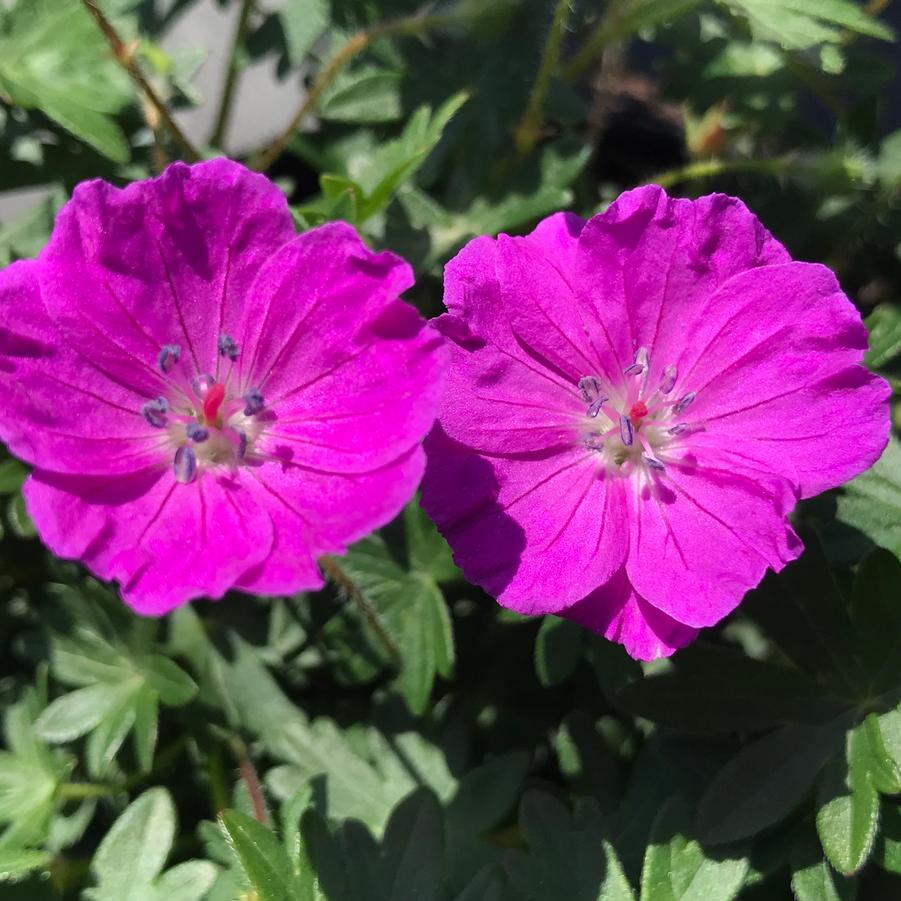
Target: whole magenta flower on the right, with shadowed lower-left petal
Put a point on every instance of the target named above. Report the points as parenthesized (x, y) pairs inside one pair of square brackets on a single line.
[(635, 404)]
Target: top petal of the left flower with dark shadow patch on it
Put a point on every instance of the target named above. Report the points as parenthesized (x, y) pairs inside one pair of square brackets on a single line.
[(163, 261)]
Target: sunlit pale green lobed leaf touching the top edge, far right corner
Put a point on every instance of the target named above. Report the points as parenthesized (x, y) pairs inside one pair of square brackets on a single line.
[(798, 24)]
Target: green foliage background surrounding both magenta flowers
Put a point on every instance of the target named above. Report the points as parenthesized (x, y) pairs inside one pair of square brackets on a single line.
[(398, 737)]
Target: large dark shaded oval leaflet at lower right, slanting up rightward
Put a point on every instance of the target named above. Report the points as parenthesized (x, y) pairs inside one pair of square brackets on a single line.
[(765, 781)]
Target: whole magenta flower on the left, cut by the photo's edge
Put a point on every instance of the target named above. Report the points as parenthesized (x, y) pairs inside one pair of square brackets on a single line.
[(209, 401)]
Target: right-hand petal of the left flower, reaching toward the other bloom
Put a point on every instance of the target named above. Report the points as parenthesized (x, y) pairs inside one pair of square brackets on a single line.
[(351, 374)]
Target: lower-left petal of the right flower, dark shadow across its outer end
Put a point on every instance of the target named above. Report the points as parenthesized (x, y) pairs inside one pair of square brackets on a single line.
[(537, 532)]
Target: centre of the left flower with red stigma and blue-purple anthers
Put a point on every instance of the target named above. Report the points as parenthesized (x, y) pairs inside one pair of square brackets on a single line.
[(206, 422)]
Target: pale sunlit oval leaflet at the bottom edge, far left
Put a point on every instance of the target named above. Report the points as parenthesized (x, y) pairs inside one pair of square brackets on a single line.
[(134, 850)]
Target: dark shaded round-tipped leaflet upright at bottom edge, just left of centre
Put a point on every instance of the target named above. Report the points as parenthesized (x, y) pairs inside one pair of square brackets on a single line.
[(413, 849)]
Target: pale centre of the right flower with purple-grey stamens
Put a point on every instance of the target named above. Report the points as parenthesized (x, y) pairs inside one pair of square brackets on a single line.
[(635, 426)]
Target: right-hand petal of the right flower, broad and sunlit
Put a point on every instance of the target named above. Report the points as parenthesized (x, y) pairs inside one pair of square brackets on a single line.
[(775, 364)]
